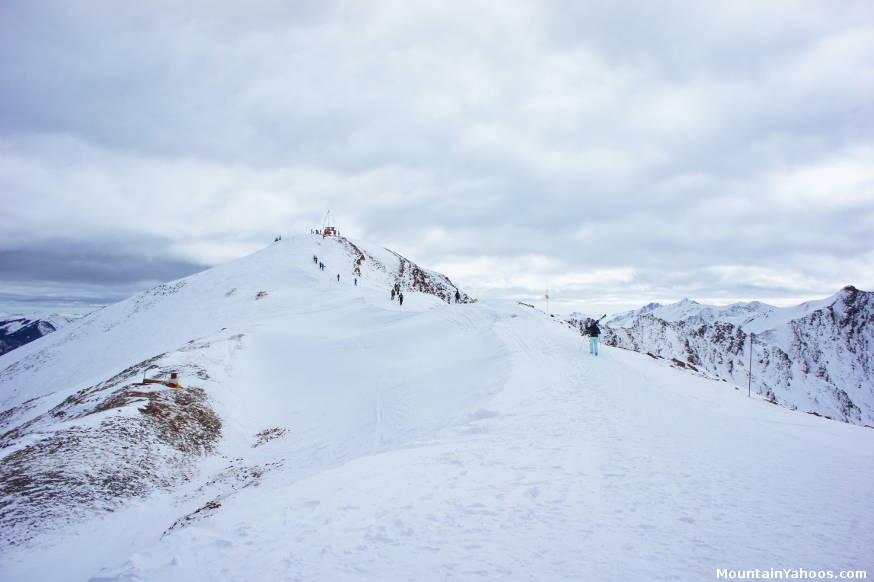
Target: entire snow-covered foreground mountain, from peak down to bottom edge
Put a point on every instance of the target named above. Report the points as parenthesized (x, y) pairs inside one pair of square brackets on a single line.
[(325, 432)]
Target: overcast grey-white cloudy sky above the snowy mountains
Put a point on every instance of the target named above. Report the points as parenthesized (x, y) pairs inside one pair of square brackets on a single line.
[(616, 152)]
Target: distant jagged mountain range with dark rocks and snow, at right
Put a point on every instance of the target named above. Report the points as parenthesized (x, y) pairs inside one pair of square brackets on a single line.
[(816, 357)]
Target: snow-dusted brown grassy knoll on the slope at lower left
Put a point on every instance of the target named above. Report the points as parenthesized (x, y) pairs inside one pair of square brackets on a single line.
[(84, 463)]
